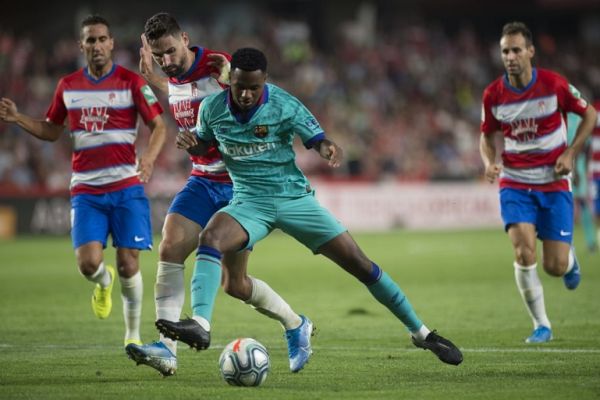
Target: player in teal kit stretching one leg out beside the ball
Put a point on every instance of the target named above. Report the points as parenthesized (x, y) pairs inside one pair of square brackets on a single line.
[(254, 124)]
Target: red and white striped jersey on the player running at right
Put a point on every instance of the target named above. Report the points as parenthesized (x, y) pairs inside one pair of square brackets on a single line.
[(533, 121)]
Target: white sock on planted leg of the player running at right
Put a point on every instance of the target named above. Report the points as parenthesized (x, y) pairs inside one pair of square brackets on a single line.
[(532, 293)]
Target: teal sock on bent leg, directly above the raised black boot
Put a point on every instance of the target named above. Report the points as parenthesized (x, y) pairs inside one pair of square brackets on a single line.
[(205, 282)]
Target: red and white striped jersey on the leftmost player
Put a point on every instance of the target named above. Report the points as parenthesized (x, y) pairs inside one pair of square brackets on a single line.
[(102, 119)]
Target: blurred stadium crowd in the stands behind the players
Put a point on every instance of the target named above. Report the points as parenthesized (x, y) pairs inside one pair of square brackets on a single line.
[(397, 84)]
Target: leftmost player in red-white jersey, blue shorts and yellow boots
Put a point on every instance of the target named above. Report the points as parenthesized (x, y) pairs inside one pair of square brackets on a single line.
[(101, 103)]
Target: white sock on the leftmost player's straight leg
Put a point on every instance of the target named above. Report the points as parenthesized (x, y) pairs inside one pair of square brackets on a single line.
[(131, 293)]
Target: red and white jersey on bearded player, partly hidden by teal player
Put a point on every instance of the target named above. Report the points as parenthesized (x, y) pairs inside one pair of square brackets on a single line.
[(186, 92)]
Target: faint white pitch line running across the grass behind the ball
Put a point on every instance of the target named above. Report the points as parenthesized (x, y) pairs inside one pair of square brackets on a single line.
[(337, 348)]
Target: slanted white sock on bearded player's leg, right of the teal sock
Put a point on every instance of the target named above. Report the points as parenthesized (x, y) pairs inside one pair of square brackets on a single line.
[(266, 301)]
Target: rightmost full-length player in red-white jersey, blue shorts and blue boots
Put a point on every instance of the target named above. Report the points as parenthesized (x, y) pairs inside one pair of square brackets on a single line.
[(528, 106)]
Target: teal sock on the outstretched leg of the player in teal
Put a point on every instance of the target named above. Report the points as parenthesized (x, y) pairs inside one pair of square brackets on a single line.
[(387, 292)]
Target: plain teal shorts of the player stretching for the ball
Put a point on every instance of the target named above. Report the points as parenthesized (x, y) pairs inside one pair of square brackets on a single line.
[(303, 218)]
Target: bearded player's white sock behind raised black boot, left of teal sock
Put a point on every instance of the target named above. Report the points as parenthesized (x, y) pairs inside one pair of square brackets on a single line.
[(169, 296)]
